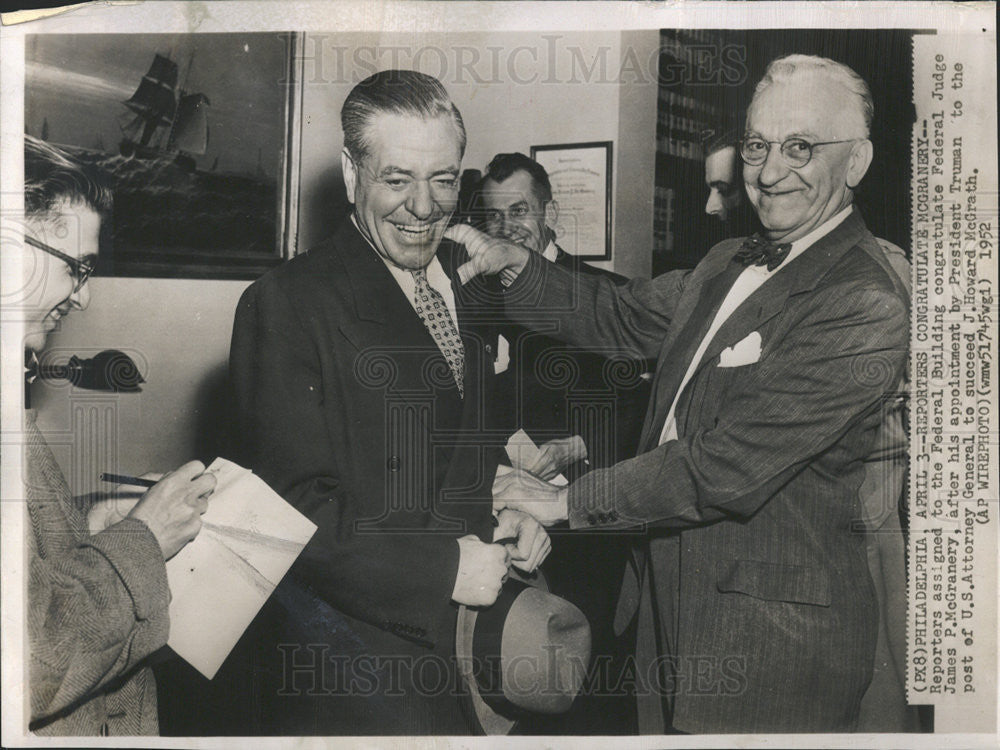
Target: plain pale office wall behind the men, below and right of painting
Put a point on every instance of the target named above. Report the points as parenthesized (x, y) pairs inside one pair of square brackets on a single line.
[(514, 89)]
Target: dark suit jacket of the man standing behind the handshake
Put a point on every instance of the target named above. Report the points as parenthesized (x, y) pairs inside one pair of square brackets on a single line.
[(553, 390)]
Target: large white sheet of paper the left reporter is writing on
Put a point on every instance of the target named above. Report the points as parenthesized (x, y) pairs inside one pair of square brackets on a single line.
[(249, 539)]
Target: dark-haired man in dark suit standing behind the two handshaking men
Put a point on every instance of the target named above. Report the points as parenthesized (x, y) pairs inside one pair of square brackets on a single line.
[(584, 409)]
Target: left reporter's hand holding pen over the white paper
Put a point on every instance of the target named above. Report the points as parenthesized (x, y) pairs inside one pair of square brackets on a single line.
[(172, 507)]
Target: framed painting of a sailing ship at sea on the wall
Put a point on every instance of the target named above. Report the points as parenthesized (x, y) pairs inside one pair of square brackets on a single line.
[(197, 134)]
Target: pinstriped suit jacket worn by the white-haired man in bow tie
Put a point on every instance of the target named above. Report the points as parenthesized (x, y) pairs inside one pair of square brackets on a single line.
[(753, 581)]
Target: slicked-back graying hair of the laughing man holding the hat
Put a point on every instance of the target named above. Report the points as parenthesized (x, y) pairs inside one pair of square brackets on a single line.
[(401, 92)]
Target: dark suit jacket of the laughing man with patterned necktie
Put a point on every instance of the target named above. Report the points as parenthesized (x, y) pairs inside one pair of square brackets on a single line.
[(349, 410)]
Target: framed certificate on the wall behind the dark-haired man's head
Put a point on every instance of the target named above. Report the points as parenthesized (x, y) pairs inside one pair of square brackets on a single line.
[(580, 174)]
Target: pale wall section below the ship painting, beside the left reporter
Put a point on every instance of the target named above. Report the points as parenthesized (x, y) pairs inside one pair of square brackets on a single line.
[(178, 333)]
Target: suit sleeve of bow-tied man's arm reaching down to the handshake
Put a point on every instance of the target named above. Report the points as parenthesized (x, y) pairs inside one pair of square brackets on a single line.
[(807, 391)]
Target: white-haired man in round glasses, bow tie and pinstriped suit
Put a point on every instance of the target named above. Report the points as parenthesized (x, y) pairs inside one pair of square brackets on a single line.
[(756, 609)]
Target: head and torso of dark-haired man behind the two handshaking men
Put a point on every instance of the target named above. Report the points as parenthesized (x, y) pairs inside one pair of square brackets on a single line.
[(553, 391)]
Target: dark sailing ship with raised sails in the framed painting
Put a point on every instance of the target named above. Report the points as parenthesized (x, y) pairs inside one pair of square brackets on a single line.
[(163, 119)]
